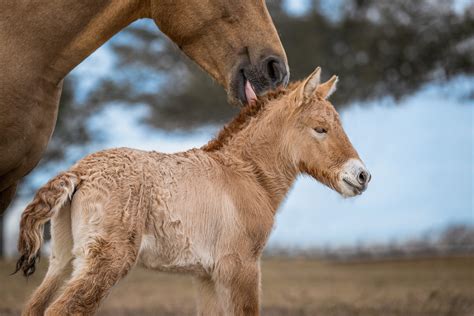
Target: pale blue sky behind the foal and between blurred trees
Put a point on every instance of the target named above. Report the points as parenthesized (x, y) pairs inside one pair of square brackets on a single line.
[(419, 151)]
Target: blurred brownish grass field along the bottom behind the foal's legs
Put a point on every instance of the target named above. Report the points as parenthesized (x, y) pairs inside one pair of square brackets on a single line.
[(439, 286)]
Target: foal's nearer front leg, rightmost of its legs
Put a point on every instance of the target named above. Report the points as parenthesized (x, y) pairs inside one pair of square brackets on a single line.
[(238, 286)]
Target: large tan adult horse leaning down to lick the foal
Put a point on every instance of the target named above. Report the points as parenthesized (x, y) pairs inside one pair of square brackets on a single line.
[(235, 41)]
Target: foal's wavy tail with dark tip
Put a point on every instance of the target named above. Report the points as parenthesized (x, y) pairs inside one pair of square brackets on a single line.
[(48, 200)]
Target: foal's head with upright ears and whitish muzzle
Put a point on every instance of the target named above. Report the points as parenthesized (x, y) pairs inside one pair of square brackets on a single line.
[(316, 140)]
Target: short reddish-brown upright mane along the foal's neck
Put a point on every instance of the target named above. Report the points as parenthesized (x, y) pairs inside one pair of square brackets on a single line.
[(243, 118)]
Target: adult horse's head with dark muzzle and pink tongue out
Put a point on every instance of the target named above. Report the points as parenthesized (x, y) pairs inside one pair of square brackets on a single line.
[(233, 40)]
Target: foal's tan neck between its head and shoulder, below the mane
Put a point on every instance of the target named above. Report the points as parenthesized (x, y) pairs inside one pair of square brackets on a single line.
[(260, 146)]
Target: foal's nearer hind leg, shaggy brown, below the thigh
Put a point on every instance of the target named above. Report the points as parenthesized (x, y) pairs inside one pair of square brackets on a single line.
[(102, 265)]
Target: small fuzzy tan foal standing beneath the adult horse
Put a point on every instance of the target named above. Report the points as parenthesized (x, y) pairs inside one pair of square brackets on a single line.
[(206, 212)]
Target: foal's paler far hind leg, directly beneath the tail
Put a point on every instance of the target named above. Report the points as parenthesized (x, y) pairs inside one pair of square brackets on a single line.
[(59, 263)]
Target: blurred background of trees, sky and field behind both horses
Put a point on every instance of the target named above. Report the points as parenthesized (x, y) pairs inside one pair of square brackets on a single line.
[(406, 98)]
